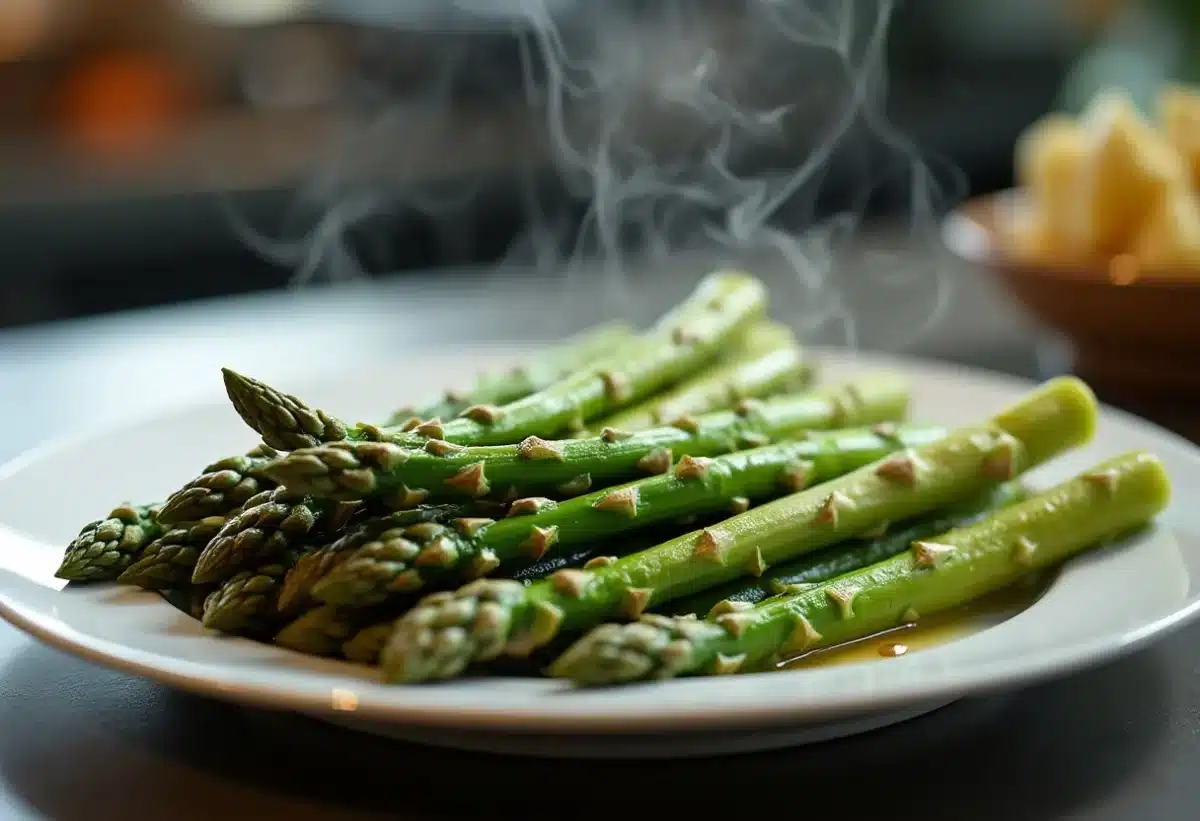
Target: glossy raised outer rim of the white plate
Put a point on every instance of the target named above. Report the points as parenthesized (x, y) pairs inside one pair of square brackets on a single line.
[(205, 679)]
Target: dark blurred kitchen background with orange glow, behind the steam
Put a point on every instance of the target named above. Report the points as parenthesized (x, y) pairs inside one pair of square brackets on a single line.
[(131, 130)]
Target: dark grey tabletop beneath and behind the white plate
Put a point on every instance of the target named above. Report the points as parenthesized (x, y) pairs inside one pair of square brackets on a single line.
[(1115, 744)]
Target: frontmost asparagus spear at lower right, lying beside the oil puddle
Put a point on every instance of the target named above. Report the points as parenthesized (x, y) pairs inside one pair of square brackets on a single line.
[(933, 577)]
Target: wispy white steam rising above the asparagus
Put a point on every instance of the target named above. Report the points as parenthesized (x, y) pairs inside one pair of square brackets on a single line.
[(677, 124)]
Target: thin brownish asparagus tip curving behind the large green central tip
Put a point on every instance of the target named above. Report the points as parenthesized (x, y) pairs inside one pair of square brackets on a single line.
[(317, 564)]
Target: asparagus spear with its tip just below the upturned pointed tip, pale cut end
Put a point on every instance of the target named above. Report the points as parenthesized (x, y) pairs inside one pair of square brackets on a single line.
[(353, 471)]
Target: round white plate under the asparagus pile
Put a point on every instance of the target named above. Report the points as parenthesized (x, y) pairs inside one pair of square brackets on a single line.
[(1101, 606)]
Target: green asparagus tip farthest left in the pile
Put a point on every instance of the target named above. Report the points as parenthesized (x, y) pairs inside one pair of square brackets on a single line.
[(105, 548)]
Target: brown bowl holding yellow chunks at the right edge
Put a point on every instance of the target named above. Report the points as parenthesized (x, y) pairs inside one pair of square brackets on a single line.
[(1136, 334)]
